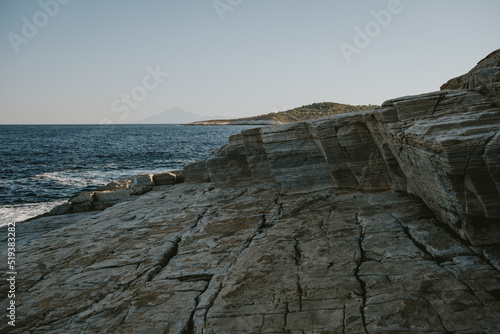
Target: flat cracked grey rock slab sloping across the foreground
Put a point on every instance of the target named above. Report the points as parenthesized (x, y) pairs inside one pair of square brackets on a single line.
[(194, 258)]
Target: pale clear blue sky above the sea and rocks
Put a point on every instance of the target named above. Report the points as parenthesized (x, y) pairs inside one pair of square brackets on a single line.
[(118, 61)]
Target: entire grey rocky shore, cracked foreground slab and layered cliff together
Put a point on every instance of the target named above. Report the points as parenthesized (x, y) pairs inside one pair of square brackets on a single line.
[(385, 221)]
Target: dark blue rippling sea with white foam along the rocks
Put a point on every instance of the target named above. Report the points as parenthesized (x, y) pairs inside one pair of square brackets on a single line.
[(42, 166)]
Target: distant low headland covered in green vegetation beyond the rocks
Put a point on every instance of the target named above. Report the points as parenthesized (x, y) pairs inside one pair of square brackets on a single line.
[(315, 110)]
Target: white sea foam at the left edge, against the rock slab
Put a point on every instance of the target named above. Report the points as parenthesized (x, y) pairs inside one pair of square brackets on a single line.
[(21, 212)]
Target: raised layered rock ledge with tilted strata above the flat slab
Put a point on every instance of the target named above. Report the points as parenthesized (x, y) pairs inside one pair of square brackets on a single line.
[(443, 147)]
